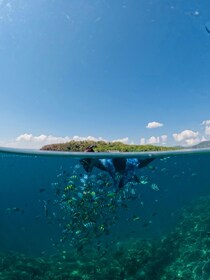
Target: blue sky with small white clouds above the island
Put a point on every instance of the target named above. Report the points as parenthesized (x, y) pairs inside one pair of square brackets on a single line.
[(134, 70)]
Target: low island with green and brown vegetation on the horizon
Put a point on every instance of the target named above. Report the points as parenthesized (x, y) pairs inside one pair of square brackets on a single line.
[(102, 146)]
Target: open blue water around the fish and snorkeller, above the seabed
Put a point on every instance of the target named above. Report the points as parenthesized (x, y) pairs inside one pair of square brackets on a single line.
[(30, 208)]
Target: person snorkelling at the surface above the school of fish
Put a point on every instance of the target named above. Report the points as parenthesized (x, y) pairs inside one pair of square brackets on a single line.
[(122, 170)]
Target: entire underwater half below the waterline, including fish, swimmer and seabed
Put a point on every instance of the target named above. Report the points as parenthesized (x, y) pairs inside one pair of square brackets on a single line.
[(104, 215)]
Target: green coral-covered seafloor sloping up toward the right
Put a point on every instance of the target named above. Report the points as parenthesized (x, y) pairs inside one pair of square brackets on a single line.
[(183, 254)]
